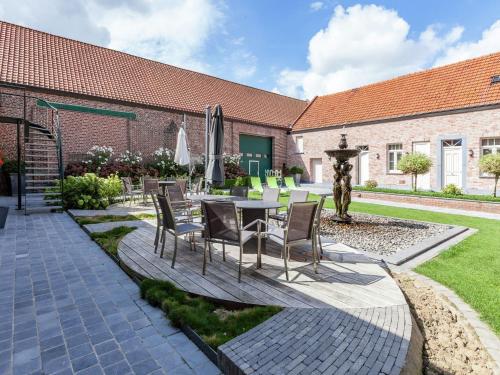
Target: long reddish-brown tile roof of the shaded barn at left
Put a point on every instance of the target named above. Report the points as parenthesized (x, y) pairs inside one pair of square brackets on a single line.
[(37, 59)]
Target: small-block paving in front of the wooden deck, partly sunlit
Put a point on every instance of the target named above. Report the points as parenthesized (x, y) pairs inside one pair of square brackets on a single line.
[(323, 341)]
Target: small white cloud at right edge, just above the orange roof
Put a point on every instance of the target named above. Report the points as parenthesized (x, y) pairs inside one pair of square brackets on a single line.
[(489, 42)]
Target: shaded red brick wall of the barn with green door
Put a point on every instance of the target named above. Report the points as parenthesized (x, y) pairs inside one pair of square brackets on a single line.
[(153, 128)]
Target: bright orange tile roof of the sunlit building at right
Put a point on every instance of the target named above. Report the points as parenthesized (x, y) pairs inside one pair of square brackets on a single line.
[(456, 86)]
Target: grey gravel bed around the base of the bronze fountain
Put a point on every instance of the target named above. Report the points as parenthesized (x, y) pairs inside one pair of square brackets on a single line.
[(379, 234)]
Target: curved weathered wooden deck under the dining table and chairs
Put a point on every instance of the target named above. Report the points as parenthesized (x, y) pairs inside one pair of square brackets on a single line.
[(346, 279)]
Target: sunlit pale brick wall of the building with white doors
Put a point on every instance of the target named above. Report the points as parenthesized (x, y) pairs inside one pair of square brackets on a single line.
[(472, 126)]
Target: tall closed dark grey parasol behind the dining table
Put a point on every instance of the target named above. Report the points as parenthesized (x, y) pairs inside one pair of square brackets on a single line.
[(215, 169)]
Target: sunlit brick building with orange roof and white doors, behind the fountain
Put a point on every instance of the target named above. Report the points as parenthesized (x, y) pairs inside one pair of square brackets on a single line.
[(451, 113)]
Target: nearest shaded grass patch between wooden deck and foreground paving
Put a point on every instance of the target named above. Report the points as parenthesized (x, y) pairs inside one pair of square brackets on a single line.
[(214, 324)]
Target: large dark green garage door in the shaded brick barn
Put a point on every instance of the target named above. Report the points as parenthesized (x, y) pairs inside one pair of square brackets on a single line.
[(257, 154)]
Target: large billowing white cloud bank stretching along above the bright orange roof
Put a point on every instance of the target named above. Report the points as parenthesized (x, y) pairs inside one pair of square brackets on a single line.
[(365, 44)]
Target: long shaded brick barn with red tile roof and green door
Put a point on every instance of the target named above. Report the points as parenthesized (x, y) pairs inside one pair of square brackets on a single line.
[(111, 98)]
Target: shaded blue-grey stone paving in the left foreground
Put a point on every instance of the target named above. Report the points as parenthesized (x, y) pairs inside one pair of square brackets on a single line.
[(66, 308)]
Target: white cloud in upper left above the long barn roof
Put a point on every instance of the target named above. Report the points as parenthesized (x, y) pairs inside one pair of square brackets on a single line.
[(171, 31)]
